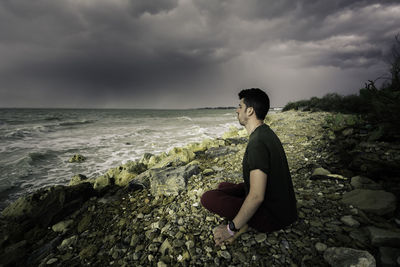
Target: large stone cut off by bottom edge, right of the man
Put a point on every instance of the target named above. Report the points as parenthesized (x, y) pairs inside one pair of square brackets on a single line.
[(344, 257)]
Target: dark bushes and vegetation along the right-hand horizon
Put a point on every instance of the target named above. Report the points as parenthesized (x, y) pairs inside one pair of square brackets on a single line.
[(379, 107)]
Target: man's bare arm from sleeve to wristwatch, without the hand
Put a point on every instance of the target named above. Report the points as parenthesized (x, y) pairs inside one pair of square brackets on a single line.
[(258, 182)]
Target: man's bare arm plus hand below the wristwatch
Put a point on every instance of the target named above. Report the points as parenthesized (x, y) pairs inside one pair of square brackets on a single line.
[(258, 182)]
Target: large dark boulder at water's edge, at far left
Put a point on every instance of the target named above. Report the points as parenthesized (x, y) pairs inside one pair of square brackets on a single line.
[(48, 205)]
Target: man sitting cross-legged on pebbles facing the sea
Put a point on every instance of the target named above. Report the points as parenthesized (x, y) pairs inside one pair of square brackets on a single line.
[(266, 200)]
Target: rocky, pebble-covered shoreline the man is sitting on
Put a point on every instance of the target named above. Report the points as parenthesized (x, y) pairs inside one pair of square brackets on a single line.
[(148, 213)]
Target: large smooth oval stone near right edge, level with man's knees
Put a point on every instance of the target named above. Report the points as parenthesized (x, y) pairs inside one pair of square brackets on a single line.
[(375, 201)]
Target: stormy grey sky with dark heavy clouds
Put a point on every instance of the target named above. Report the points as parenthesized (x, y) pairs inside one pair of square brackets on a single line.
[(188, 53)]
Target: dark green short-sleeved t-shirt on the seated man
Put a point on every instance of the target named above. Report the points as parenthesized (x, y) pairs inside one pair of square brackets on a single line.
[(265, 152)]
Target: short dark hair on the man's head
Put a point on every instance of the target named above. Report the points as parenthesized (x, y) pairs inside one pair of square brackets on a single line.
[(257, 99)]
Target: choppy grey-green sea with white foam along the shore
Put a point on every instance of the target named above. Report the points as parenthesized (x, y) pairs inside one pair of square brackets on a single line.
[(36, 144)]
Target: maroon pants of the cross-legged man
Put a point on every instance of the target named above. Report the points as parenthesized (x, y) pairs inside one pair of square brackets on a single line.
[(226, 201)]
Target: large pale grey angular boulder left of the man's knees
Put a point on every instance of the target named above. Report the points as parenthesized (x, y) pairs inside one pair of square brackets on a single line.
[(170, 181)]
